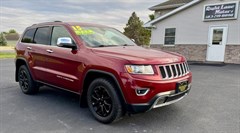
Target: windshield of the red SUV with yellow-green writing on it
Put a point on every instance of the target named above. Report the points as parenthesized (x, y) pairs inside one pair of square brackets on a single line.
[(102, 36)]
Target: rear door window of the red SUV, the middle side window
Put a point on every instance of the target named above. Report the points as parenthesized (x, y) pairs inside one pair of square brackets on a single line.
[(42, 36)]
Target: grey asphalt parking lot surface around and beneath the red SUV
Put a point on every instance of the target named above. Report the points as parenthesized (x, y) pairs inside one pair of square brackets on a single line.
[(213, 105)]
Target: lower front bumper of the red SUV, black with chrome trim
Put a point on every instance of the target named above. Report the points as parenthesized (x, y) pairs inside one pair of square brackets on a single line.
[(161, 99)]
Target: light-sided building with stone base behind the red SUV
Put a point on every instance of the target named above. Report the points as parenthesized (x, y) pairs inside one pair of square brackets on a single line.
[(201, 30)]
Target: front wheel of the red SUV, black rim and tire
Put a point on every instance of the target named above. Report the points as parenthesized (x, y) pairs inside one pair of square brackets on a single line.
[(103, 101)]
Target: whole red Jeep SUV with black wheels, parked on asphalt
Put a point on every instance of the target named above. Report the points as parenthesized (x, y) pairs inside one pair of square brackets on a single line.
[(109, 71)]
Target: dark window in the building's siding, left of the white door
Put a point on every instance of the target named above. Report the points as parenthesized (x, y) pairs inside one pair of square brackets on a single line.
[(169, 36)]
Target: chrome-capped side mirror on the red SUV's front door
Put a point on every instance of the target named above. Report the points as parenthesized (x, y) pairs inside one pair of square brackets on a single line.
[(66, 42)]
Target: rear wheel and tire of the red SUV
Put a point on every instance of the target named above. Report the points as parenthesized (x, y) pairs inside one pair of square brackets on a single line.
[(26, 83)]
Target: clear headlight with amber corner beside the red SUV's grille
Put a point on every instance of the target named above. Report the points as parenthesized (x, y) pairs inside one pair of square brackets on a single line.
[(139, 69)]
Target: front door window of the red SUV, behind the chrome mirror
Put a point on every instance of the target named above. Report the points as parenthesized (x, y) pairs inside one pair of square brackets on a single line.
[(57, 32)]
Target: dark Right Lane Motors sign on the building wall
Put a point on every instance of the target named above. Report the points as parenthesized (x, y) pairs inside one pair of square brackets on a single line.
[(221, 11)]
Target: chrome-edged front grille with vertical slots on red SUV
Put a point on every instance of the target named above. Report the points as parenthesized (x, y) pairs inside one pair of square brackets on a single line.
[(174, 70)]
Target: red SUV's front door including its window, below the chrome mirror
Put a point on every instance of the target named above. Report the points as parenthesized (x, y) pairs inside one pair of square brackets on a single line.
[(63, 64)]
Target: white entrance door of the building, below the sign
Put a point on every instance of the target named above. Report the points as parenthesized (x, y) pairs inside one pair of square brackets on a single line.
[(217, 43)]
